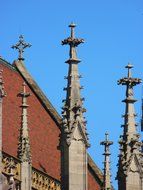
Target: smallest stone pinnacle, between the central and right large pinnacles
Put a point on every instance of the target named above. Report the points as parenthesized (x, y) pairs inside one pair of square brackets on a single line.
[(107, 175)]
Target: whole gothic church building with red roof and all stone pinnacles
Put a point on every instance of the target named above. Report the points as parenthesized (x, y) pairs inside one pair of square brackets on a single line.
[(41, 150)]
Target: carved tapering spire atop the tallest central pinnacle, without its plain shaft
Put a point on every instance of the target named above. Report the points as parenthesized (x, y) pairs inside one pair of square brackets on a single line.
[(73, 108)]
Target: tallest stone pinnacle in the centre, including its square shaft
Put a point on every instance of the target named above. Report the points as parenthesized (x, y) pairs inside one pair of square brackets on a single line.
[(74, 140)]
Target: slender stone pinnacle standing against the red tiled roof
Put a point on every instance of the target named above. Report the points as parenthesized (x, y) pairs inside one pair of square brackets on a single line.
[(24, 146)]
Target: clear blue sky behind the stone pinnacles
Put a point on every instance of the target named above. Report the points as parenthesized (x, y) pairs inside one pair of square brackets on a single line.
[(113, 31)]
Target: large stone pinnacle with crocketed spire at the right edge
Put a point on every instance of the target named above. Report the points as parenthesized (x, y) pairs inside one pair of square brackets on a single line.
[(130, 167)]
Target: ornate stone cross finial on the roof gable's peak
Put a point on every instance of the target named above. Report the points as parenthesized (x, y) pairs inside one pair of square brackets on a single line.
[(20, 46)]
